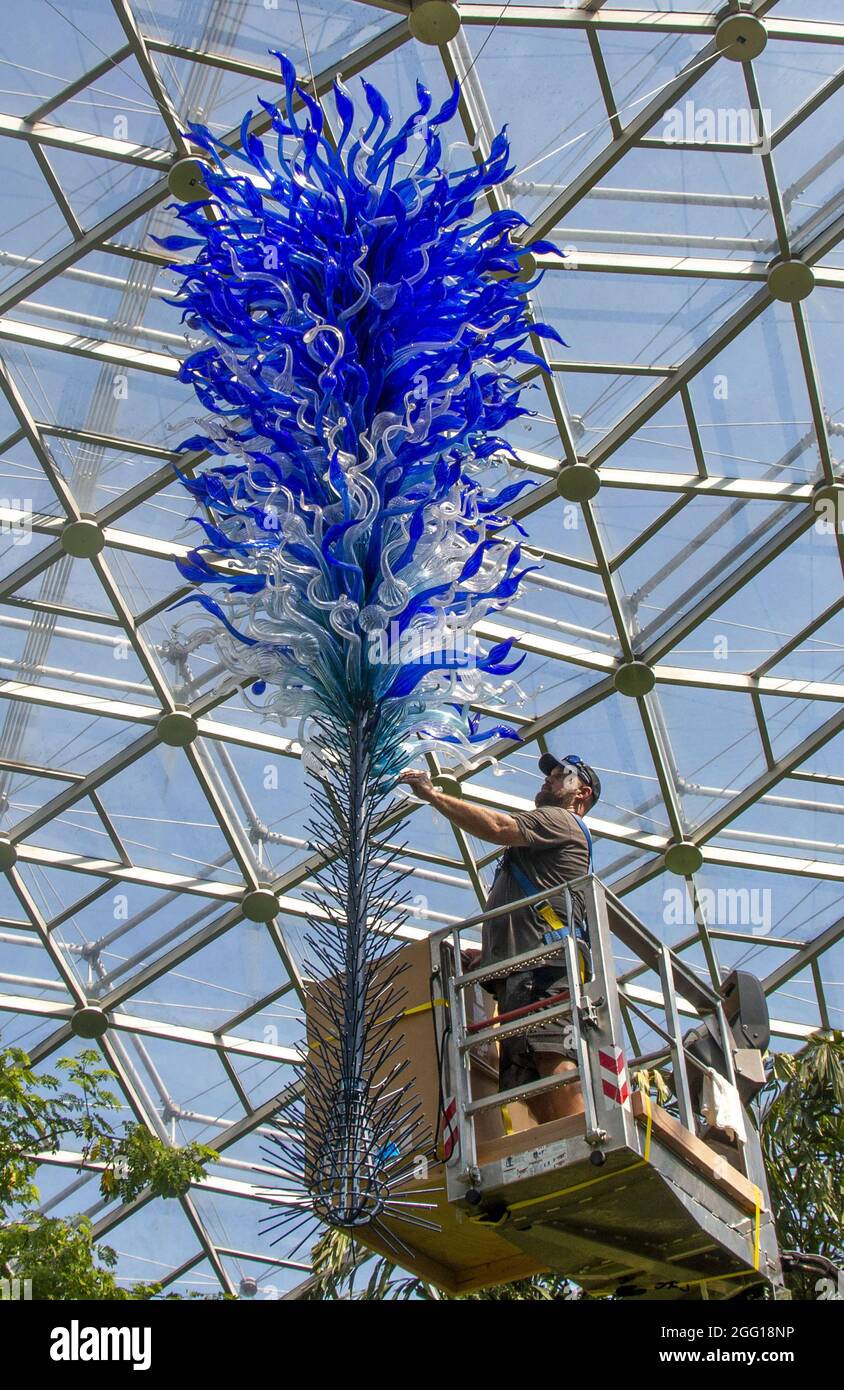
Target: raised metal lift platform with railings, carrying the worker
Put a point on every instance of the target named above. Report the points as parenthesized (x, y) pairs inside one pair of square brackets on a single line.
[(626, 1199)]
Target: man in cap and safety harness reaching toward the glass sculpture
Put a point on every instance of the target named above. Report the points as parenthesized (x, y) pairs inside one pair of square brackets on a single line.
[(546, 849)]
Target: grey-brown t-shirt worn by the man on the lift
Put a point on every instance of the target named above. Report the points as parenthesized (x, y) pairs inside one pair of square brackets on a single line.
[(557, 851)]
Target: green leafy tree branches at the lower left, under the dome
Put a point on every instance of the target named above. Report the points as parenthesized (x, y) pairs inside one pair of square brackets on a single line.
[(38, 1115)]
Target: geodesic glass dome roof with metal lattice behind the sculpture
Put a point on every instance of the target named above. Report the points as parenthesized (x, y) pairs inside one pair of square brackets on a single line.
[(685, 633)]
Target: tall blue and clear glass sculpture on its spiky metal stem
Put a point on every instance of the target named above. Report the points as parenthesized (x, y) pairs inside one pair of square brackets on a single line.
[(359, 330)]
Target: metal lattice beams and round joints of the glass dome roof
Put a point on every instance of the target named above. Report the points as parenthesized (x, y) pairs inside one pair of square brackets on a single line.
[(33, 680)]
